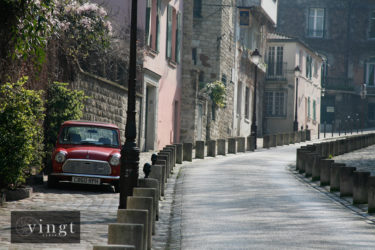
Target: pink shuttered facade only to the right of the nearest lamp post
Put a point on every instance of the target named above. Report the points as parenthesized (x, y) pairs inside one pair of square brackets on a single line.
[(162, 73)]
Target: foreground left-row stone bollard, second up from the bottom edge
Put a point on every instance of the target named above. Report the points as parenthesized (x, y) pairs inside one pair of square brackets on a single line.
[(126, 234)]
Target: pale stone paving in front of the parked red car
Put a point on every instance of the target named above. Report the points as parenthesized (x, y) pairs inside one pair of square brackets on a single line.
[(97, 204)]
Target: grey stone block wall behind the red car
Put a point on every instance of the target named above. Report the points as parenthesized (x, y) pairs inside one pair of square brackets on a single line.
[(107, 101)]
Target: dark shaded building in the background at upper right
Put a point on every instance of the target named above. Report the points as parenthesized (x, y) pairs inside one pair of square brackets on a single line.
[(344, 33)]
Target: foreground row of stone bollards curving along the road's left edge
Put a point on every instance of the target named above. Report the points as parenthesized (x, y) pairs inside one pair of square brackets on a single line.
[(136, 224)]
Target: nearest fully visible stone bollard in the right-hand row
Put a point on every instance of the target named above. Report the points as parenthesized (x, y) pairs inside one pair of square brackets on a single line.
[(360, 182)]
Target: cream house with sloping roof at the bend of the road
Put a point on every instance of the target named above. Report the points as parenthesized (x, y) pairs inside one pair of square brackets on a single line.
[(283, 55)]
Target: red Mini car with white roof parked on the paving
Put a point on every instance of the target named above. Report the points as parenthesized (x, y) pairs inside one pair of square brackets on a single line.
[(88, 153)]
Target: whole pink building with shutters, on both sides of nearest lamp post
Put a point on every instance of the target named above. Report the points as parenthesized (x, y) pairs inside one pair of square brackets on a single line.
[(160, 30)]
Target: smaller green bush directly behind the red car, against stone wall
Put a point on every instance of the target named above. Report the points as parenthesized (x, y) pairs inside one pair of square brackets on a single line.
[(62, 104)]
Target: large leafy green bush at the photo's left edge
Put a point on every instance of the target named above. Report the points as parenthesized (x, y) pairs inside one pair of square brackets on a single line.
[(21, 133)]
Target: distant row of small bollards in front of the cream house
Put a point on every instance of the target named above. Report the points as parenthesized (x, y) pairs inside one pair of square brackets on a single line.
[(275, 140)]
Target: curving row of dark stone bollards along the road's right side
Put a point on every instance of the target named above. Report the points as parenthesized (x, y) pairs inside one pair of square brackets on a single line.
[(314, 161)]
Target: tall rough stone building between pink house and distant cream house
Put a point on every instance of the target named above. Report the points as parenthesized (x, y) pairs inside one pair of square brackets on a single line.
[(213, 51)]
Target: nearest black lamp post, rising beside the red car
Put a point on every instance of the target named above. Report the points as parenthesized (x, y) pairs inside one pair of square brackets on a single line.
[(129, 151)]
